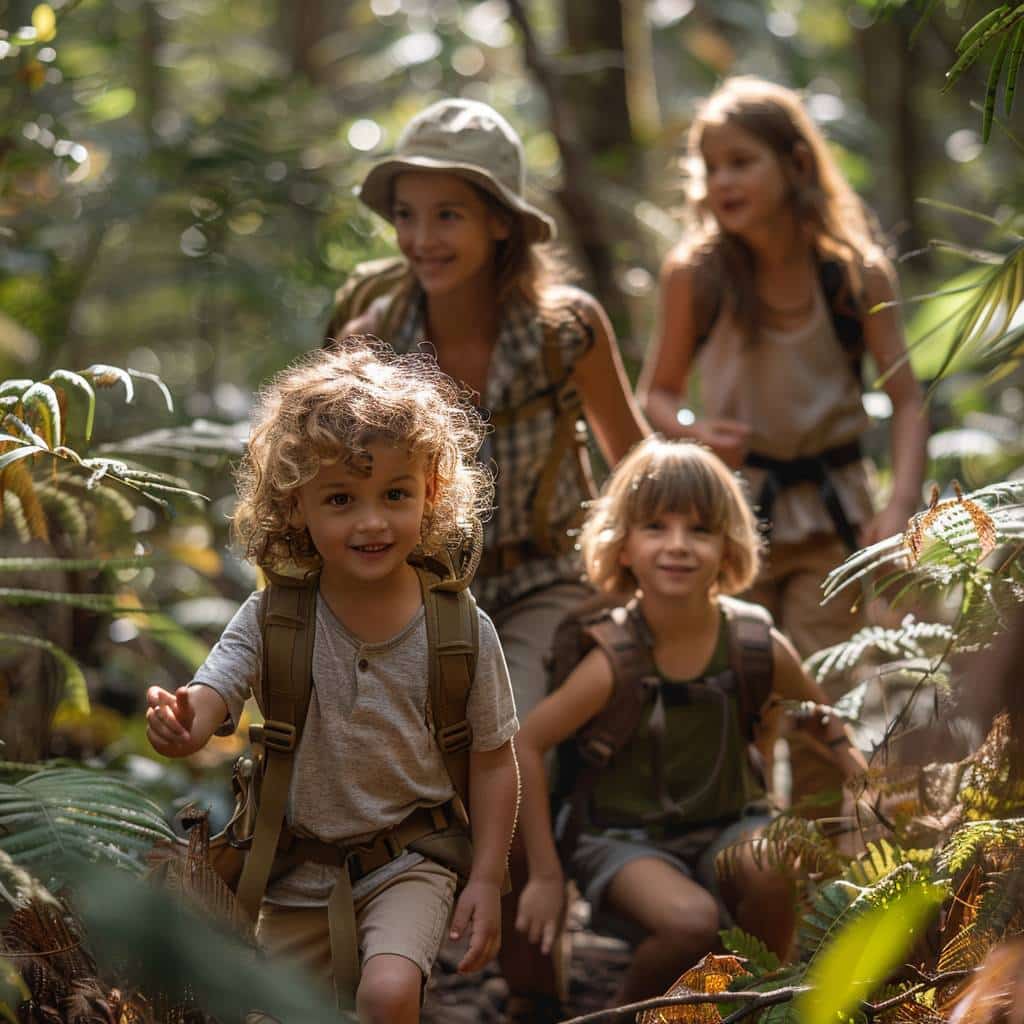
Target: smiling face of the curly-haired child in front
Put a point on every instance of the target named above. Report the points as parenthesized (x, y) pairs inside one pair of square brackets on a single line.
[(365, 527)]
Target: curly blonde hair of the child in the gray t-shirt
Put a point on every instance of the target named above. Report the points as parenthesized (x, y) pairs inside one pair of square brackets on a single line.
[(333, 404)]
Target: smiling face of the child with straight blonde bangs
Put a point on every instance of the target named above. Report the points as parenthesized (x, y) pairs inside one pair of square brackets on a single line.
[(674, 557)]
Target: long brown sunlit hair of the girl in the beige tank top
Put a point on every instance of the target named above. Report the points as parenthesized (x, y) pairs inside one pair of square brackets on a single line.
[(836, 222)]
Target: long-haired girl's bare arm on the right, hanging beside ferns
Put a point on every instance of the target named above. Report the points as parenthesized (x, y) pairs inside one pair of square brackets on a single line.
[(909, 432)]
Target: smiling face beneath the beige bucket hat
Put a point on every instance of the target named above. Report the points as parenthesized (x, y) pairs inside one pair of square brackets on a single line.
[(447, 231)]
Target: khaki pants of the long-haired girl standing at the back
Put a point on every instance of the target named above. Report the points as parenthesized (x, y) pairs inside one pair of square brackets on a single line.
[(790, 587)]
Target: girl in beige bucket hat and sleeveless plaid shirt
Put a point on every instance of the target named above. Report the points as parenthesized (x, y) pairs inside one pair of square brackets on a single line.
[(478, 284)]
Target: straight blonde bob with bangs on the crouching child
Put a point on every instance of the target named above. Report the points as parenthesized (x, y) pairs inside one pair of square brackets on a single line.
[(660, 478)]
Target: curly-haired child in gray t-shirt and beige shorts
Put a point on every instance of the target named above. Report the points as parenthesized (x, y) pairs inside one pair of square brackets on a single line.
[(360, 460)]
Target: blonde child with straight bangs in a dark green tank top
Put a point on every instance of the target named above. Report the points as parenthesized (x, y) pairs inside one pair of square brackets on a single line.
[(670, 538)]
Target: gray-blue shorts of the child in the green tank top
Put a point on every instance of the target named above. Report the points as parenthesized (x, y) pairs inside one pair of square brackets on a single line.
[(600, 859)]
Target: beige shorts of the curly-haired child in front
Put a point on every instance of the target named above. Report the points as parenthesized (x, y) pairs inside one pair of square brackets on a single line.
[(407, 917)]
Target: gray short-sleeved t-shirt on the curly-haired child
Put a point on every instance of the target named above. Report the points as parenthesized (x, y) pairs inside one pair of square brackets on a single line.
[(368, 755)]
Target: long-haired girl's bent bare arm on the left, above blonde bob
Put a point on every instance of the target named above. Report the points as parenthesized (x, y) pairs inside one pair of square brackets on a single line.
[(670, 361)]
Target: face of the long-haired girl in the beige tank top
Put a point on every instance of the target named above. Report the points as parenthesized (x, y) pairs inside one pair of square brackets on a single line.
[(748, 188)]
